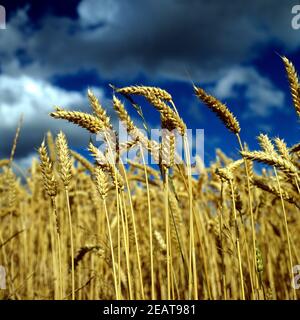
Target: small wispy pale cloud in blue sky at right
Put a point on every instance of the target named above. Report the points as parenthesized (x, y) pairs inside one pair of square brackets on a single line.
[(261, 96)]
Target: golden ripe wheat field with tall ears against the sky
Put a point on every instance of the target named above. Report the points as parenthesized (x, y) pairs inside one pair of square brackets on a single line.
[(104, 229)]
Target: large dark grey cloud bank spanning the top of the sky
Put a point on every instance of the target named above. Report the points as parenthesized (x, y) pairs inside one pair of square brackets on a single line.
[(157, 38)]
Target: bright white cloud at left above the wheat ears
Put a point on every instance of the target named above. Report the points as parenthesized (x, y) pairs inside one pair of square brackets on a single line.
[(35, 98)]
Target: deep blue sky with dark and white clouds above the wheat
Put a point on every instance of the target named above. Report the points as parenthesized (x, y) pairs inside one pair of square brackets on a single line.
[(52, 51)]
